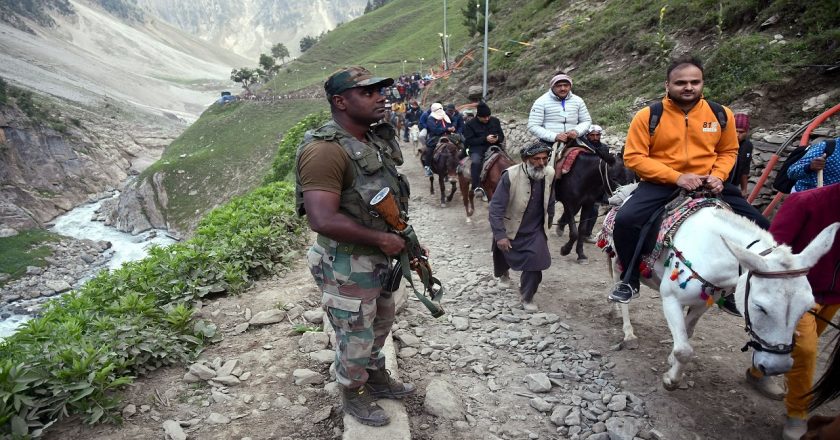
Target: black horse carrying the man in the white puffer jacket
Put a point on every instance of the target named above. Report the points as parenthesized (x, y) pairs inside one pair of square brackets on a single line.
[(593, 174)]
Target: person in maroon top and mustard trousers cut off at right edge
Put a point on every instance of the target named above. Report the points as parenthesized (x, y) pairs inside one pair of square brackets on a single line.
[(802, 217)]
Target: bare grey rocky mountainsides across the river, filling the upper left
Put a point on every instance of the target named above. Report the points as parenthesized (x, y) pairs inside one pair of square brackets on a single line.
[(131, 75)]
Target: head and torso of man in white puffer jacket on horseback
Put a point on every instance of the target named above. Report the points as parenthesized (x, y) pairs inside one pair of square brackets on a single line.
[(559, 115)]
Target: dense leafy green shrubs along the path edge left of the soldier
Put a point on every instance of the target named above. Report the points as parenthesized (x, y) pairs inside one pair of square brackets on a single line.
[(89, 343)]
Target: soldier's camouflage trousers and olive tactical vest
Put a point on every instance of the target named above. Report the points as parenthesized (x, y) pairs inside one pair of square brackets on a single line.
[(350, 276)]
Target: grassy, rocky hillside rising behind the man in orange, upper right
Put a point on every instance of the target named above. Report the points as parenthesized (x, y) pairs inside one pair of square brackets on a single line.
[(616, 51)]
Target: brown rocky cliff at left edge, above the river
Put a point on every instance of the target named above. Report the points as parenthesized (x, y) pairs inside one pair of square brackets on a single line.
[(45, 172)]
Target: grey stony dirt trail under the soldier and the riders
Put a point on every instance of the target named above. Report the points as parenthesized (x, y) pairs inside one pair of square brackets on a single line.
[(484, 347)]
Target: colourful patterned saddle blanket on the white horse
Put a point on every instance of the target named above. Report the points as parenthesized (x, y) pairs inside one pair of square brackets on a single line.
[(678, 211)]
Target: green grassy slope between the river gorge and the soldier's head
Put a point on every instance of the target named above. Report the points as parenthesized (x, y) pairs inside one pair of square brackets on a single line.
[(226, 152)]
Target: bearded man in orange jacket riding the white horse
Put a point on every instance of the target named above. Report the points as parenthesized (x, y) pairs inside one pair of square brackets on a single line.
[(689, 149)]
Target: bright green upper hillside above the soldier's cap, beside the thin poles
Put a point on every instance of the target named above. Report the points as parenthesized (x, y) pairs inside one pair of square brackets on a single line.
[(401, 30)]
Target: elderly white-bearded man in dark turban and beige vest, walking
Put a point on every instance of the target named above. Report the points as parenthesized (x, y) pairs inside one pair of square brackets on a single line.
[(520, 215)]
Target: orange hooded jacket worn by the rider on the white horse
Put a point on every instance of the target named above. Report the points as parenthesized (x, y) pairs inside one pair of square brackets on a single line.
[(690, 142)]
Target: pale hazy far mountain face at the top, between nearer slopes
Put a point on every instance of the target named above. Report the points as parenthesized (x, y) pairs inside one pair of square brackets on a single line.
[(251, 27)]
